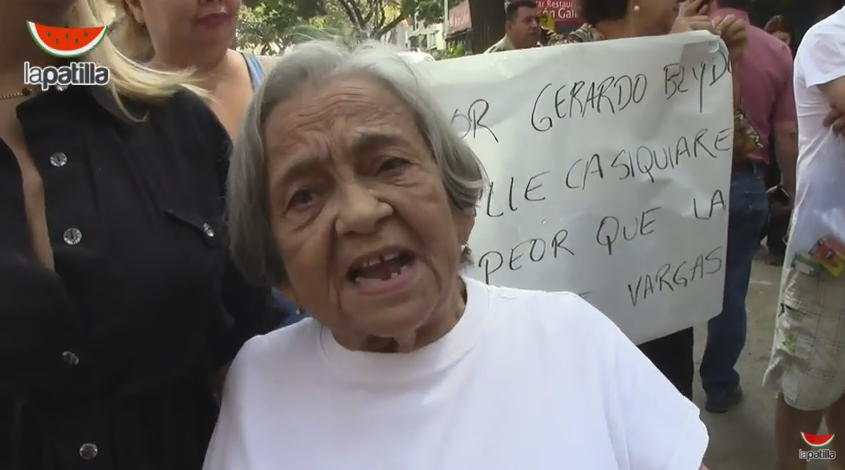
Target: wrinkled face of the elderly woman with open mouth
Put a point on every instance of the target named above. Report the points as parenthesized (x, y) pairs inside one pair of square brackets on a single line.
[(369, 238)]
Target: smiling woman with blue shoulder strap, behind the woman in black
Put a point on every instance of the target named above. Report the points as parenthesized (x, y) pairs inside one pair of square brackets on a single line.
[(186, 34)]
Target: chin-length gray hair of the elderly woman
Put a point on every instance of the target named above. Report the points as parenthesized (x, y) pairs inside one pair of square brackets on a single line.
[(252, 244)]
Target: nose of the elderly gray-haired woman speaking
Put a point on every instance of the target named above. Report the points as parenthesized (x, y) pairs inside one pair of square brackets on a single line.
[(360, 210)]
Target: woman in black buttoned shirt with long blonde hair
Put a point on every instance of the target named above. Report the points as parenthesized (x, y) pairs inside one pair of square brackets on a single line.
[(119, 303)]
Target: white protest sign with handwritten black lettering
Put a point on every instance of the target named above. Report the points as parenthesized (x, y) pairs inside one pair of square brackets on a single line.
[(609, 167)]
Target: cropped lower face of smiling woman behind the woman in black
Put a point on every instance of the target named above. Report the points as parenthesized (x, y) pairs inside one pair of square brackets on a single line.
[(177, 24)]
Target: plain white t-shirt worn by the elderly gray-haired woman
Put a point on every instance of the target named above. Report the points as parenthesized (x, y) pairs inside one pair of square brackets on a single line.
[(526, 380)]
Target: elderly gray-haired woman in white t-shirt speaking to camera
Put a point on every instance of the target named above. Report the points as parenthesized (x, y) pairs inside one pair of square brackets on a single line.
[(351, 192)]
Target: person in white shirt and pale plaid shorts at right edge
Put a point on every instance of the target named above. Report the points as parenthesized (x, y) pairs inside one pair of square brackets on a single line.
[(807, 368)]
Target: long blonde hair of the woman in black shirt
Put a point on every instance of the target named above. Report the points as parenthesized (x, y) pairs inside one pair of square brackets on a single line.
[(128, 78)]
